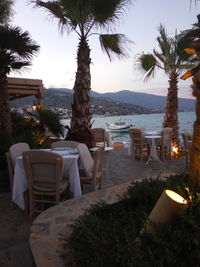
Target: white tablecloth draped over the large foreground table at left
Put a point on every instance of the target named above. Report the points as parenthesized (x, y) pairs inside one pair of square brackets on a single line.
[(70, 168)]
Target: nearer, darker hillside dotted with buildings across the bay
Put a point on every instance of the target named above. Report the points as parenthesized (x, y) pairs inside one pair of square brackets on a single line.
[(62, 98)]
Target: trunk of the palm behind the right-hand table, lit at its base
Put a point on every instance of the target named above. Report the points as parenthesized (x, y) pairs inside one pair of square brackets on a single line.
[(171, 110)]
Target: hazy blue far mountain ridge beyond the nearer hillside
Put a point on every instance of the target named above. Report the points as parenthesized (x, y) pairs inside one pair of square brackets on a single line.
[(154, 102)]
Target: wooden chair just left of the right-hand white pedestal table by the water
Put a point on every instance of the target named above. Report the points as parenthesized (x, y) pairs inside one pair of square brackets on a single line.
[(139, 148)]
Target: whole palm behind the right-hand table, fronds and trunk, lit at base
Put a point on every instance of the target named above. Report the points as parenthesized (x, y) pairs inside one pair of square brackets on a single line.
[(172, 59)]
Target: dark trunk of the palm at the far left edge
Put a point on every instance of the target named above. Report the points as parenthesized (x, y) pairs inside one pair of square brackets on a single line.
[(5, 113)]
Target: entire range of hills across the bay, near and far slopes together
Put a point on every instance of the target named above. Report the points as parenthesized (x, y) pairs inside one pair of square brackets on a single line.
[(127, 101)]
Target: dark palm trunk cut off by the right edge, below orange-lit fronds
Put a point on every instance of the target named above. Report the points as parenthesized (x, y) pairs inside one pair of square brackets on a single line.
[(195, 149)]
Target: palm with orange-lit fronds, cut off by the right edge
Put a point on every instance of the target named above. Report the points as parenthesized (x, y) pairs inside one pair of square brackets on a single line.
[(194, 36)]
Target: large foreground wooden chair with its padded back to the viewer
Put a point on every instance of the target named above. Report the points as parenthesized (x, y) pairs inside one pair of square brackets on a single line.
[(45, 182)]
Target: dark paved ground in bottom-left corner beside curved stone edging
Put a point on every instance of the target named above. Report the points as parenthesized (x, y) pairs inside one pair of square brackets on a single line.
[(14, 234)]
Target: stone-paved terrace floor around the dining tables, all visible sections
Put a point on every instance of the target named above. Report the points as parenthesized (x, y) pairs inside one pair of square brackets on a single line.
[(15, 226)]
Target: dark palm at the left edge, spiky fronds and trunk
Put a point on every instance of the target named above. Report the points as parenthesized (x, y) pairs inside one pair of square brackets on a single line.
[(16, 51)]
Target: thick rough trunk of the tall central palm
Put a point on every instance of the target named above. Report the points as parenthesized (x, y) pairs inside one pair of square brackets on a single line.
[(81, 108)]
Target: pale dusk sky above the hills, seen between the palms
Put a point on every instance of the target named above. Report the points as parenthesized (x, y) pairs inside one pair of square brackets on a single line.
[(55, 64)]
